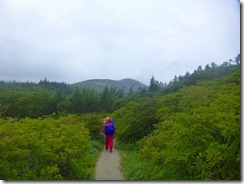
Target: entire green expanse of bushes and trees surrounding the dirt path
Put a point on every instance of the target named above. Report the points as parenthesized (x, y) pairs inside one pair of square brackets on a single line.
[(188, 129)]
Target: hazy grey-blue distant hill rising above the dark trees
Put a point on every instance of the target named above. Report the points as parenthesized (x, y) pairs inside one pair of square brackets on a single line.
[(99, 84)]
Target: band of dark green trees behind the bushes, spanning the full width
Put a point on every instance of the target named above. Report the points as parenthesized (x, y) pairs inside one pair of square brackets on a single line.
[(20, 99)]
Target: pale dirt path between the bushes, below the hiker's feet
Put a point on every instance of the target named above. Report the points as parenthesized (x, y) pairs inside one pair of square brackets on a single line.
[(108, 166)]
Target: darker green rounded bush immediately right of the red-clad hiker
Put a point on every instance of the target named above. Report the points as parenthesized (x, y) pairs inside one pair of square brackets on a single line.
[(135, 119)]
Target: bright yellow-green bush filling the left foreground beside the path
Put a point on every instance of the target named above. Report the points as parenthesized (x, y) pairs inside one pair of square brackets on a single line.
[(46, 149)]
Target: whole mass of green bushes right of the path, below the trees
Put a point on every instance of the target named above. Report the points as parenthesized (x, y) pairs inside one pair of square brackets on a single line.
[(196, 134)]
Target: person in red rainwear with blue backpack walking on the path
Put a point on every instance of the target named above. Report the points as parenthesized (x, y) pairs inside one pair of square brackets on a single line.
[(109, 130)]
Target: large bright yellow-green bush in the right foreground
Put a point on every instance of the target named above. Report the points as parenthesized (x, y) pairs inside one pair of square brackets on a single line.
[(201, 140)]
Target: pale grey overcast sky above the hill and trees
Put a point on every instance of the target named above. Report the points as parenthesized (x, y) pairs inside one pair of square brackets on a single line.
[(75, 40)]
